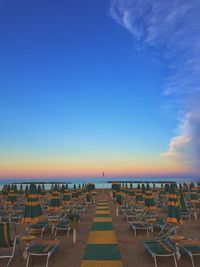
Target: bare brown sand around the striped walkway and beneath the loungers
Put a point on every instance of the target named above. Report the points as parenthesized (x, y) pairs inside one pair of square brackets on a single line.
[(131, 248)]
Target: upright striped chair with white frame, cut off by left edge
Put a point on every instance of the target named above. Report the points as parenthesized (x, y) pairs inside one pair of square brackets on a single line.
[(6, 242)]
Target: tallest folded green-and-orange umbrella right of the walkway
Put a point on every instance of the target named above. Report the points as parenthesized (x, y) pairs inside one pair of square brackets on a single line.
[(173, 206)]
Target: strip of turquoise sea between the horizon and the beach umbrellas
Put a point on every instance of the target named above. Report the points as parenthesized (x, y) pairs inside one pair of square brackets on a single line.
[(100, 182)]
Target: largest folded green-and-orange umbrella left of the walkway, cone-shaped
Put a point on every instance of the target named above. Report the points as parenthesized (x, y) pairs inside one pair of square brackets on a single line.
[(33, 211)]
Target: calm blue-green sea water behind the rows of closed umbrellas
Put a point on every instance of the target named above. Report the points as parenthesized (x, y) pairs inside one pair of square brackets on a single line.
[(99, 182)]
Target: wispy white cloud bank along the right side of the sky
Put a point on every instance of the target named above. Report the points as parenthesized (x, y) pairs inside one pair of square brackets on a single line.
[(169, 31)]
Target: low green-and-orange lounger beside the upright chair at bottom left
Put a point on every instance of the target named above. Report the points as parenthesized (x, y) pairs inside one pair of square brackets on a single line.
[(42, 248)]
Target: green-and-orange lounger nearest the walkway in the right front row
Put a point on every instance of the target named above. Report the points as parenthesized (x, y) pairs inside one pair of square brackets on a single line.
[(160, 248)]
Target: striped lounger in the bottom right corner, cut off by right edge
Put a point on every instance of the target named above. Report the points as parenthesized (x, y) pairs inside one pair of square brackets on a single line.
[(190, 247)]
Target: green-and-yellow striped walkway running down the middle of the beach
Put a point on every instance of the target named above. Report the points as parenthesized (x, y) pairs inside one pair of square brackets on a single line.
[(102, 249)]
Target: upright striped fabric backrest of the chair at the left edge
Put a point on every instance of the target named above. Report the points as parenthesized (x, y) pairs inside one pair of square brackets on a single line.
[(5, 237)]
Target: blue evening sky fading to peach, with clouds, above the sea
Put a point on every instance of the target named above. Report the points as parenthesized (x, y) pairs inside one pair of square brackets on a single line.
[(88, 87)]
